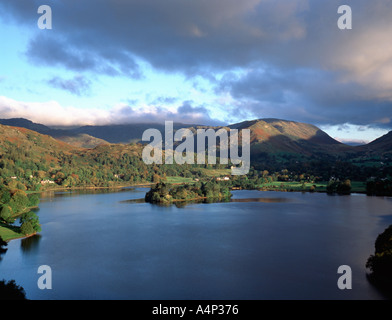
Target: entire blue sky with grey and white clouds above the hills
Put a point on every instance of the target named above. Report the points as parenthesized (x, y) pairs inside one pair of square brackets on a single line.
[(199, 61)]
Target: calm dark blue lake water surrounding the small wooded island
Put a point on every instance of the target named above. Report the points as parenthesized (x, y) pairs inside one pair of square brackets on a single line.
[(274, 246)]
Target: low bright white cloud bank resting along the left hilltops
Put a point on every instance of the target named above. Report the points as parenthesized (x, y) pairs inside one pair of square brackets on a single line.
[(53, 113)]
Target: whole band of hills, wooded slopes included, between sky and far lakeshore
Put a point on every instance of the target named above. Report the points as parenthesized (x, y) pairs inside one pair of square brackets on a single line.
[(31, 157)]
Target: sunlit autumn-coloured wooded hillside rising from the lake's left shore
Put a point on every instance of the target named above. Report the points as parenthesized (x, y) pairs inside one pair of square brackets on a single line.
[(38, 161)]
